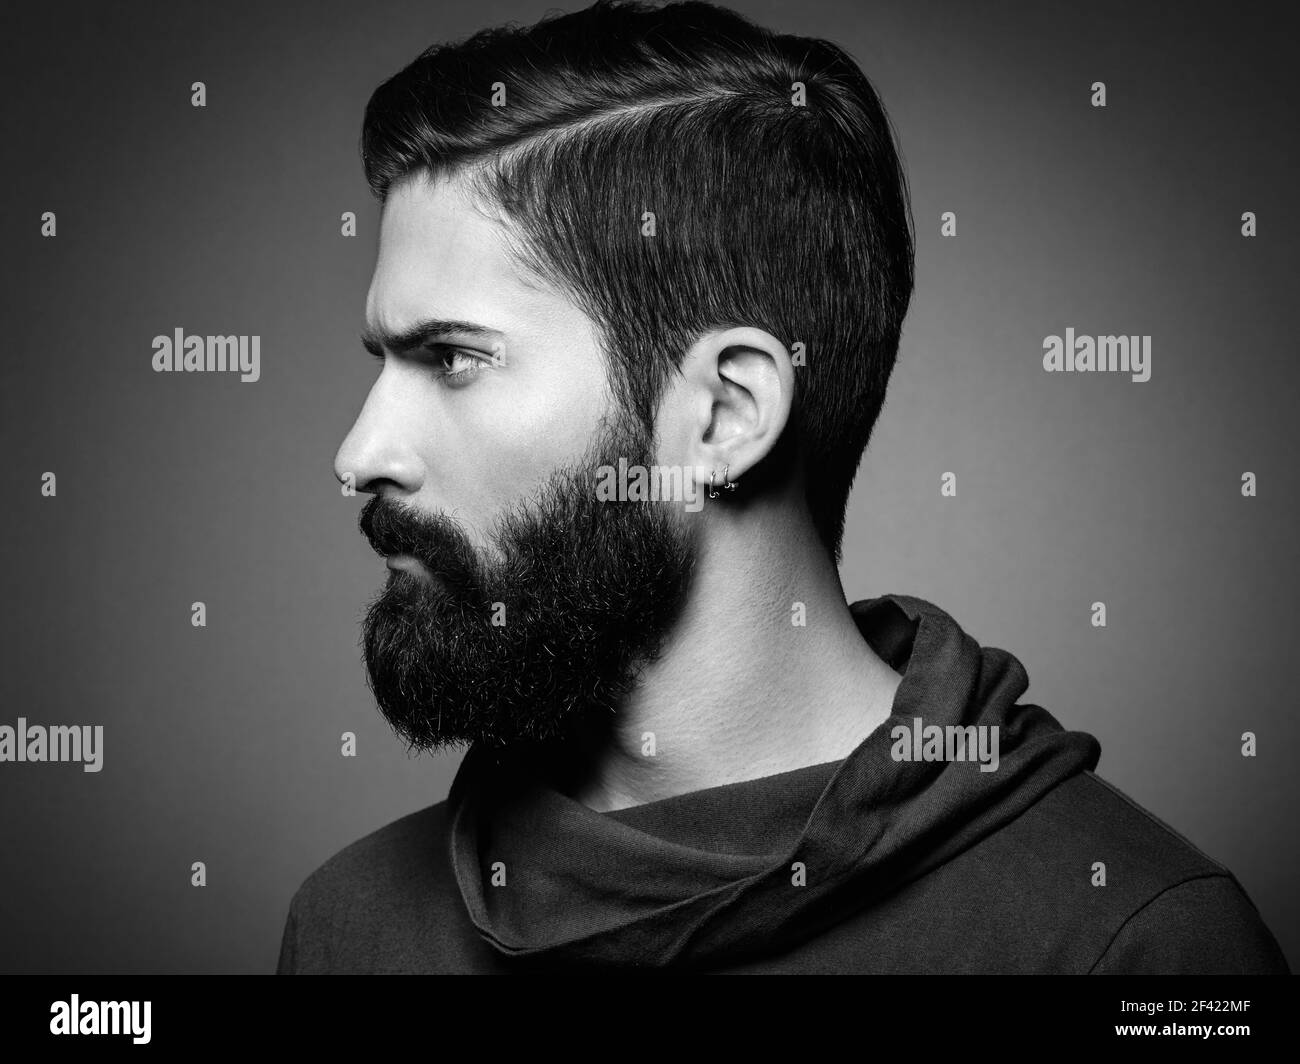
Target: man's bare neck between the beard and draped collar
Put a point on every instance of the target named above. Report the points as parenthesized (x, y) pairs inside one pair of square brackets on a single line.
[(742, 690)]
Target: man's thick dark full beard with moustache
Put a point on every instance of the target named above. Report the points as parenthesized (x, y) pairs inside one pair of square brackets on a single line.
[(539, 638)]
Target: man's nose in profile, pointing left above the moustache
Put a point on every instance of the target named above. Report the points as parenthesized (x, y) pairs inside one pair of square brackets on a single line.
[(382, 451)]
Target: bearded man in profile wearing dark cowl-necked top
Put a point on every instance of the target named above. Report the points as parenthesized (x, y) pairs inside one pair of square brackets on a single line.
[(635, 239)]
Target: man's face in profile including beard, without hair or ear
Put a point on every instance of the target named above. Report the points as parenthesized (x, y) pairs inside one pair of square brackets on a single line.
[(518, 604)]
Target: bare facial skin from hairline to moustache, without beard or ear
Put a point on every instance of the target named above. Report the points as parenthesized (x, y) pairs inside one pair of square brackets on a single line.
[(471, 448)]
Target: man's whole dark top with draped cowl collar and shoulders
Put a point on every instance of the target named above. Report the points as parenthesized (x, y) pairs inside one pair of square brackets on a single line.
[(965, 834)]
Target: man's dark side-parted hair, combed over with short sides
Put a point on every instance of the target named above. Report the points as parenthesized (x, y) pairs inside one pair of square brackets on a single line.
[(794, 219)]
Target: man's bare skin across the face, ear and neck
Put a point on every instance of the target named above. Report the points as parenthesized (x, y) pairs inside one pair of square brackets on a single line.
[(738, 693)]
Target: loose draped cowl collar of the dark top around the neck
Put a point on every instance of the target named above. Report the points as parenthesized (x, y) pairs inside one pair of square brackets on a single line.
[(705, 879)]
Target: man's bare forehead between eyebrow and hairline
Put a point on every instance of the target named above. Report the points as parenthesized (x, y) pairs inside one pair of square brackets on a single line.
[(441, 256)]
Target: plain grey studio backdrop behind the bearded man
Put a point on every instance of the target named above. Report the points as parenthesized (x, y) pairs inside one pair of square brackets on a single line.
[(223, 743)]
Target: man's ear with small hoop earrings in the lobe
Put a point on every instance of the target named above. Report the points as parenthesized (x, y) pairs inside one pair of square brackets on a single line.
[(731, 403)]
